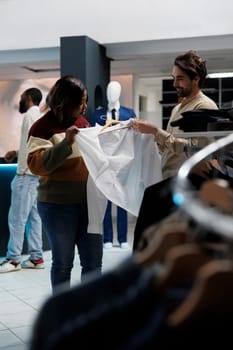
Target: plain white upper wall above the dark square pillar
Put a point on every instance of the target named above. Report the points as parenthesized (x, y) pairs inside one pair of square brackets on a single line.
[(109, 21)]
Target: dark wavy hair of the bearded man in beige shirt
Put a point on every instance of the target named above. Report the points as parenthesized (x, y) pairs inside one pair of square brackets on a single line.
[(193, 65)]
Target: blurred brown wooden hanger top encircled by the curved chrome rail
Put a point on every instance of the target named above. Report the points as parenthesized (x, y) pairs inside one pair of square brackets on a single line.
[(217, 193)]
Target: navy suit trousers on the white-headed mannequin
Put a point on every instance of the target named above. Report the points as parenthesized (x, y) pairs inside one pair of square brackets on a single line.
[(122, 224)]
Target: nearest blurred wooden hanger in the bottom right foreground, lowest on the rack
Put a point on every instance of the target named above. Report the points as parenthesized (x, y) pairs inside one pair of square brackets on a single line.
[(213, 290)]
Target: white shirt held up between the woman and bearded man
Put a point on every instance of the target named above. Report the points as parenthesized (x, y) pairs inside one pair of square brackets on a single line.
[(121, 163)]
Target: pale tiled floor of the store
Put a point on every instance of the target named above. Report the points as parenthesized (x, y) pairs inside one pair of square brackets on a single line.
[(23, 292)]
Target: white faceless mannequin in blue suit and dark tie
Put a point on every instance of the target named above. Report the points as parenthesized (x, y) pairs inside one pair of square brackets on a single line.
[(114, 111)]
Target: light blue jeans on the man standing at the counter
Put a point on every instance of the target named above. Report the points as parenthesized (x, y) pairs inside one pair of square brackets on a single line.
[(23, 218)]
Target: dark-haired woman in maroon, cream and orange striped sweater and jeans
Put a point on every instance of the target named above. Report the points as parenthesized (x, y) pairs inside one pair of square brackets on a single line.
[(62, 192)]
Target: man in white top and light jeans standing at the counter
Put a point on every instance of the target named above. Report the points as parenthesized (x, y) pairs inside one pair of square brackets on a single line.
[(23, 215)]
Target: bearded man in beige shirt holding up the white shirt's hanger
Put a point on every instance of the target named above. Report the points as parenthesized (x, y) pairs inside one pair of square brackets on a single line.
[(189, 73)]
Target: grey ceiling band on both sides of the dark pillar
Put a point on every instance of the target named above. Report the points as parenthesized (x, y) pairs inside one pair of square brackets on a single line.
[(145, 59)]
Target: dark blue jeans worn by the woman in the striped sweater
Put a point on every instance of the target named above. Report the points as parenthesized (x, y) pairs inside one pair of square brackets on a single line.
[(66, 228)]
